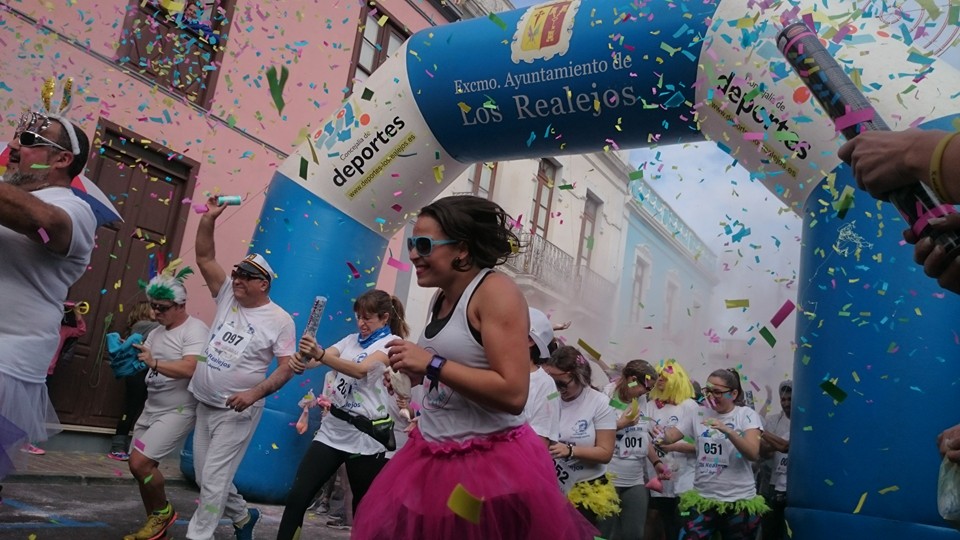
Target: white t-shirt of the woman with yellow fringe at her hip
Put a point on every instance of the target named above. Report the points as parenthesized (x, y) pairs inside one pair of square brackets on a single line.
[(580, 418)]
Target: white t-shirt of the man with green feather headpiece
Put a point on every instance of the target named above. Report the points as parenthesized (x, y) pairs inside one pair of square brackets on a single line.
[(188, 339)]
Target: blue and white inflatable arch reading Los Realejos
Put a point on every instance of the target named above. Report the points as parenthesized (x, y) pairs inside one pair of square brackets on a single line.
[(576, 76)]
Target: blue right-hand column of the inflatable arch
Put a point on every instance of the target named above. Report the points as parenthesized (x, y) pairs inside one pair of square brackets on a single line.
[(878, 329)]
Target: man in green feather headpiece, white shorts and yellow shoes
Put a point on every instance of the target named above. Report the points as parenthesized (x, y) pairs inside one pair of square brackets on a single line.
[(171, 353)]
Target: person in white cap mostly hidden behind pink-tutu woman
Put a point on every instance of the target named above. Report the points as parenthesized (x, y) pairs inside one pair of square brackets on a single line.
[(542, 410)]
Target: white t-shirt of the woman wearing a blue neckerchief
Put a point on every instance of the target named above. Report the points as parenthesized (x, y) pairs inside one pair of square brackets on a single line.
[(366, 397)]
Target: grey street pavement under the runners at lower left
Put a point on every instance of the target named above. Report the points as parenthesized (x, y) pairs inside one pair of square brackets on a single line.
[(110, 510)]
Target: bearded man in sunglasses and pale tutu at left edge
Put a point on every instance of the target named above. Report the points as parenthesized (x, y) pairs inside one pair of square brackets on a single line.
[(46, 236)]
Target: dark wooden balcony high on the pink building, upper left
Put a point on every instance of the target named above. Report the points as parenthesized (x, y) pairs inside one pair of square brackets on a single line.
[(181, 57)]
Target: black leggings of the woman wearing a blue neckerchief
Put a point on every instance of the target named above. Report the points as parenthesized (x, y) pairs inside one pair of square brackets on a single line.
[(318, 465)]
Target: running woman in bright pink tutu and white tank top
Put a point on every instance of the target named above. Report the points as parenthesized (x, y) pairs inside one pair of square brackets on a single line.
[(473, 468)]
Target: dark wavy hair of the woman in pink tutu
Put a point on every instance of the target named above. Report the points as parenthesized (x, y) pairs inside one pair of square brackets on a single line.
[(480, 224)]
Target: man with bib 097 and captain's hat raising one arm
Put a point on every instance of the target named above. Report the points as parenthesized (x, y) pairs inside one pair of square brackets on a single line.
[(249, 330)]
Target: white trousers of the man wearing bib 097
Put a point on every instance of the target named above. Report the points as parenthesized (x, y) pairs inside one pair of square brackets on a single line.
[(220, 440)]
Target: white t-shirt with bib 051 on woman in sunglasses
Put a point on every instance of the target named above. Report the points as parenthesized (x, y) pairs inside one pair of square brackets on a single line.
[(723, 473)]
